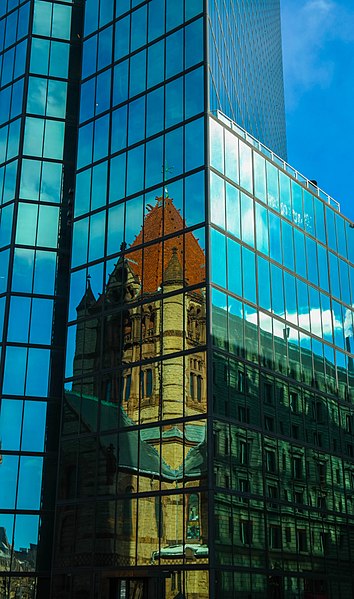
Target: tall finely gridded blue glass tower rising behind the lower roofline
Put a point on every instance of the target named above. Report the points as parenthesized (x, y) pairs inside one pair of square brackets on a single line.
[(245, 67)]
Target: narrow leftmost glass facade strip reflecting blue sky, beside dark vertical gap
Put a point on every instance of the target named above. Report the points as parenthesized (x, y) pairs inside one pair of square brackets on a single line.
[(34, 46)]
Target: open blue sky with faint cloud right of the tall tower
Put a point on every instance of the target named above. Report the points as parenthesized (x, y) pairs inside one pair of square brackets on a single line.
[(318, 54)]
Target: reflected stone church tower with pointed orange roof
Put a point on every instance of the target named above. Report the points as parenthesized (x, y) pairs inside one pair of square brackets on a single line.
[(127, 335)]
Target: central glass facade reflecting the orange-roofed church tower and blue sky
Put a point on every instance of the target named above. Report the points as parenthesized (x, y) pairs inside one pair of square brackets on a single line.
[(132, 484)]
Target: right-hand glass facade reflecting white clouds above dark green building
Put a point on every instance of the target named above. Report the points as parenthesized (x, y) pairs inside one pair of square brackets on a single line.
[(282, 333)]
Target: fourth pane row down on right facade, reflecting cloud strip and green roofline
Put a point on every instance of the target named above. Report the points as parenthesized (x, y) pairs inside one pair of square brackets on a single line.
[(259, 338)]
